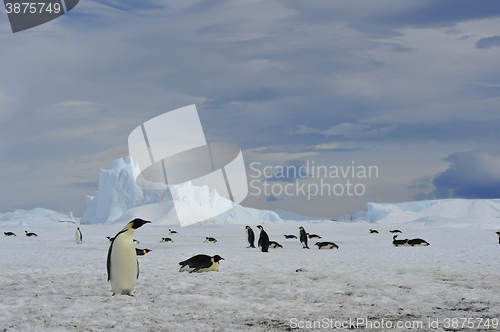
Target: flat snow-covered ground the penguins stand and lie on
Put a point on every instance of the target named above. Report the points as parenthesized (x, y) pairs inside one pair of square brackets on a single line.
[(50, 283)]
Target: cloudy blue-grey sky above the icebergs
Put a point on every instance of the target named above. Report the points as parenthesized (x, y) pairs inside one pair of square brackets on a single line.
[(408, 88)]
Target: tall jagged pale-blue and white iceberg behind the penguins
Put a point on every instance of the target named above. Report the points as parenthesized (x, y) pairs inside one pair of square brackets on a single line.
[(119, 199)]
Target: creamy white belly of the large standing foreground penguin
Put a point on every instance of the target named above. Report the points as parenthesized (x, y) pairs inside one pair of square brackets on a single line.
[(123, 265)]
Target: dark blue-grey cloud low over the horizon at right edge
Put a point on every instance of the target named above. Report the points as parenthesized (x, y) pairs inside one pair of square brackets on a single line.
[(472, 174)]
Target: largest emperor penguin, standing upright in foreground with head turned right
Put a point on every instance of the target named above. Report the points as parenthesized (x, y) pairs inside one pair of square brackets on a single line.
[(122, 264)]
